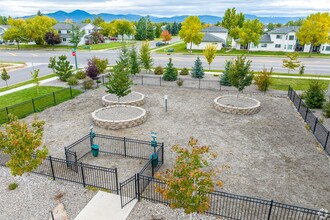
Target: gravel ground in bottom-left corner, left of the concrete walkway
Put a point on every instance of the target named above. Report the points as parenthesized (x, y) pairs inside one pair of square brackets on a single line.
[(36, 195)]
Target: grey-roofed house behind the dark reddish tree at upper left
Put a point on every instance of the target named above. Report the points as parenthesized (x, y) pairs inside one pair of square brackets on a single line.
[(65, 31)]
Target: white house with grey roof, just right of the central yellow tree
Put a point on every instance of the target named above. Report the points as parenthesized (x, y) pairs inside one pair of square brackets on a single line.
[(214, 35)]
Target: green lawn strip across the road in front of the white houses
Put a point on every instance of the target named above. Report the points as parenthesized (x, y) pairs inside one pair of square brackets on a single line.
[(181, 48)]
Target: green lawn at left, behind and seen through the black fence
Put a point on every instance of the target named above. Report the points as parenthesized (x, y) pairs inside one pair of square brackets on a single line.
[(20, 103)]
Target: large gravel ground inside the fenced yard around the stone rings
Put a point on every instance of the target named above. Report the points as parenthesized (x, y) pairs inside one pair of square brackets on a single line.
[(270, 155)]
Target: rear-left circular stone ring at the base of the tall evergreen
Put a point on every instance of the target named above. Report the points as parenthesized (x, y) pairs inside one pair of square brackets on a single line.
[(134, 98)]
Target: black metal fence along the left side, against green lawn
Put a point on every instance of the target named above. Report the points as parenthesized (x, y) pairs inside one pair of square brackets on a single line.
[(38, 104)]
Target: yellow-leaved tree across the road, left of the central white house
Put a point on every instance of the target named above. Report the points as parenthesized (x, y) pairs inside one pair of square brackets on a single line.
[(190, 31)]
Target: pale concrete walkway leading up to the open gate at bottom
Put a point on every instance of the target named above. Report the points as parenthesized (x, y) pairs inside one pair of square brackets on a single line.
[(105, 206)]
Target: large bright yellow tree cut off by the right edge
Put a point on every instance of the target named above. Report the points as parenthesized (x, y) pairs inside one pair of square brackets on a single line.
[(315, 30)]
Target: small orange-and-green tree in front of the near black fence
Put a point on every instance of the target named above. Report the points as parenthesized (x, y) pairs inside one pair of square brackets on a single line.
[(191, 180)]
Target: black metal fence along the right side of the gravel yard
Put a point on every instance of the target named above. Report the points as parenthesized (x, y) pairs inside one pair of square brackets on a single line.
[(318, 129)]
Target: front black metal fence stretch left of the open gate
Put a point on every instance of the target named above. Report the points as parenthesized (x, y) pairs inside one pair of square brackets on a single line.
[(85, 174)]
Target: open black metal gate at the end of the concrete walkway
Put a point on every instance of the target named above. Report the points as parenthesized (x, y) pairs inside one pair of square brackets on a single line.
[(128, 191)]
